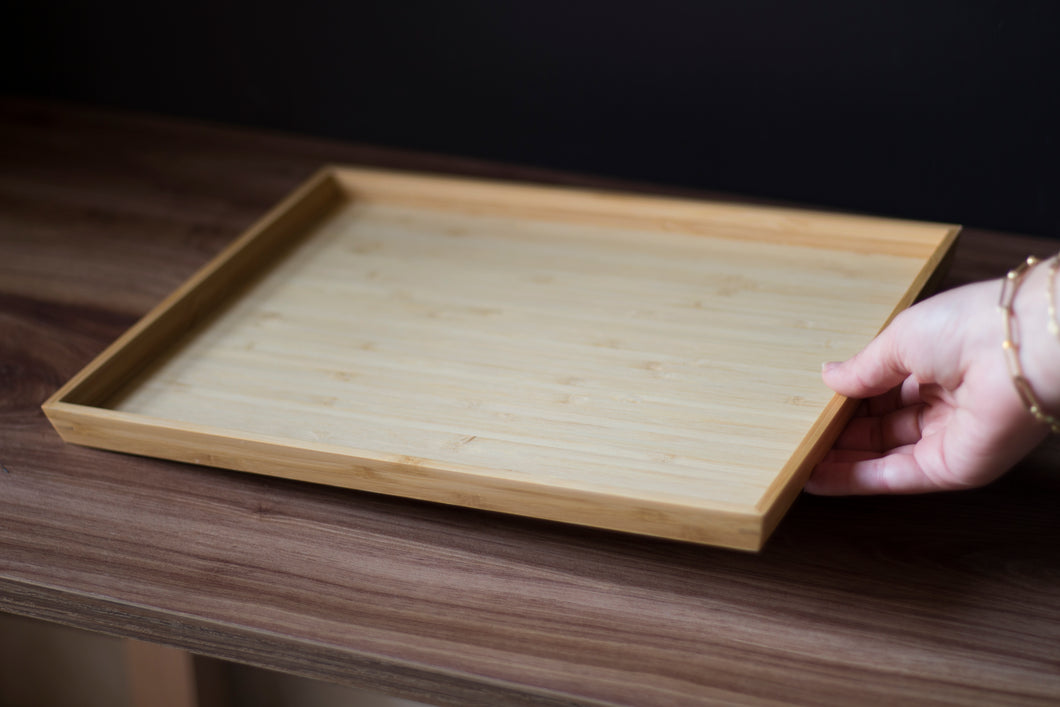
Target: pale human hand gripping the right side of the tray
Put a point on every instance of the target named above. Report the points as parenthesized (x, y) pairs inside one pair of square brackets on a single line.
[(941, 410)]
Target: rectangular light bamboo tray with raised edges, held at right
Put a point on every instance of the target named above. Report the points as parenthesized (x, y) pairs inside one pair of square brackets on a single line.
[(632, 363)]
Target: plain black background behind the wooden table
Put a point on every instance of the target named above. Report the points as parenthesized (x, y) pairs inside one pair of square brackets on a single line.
[(935, 111)]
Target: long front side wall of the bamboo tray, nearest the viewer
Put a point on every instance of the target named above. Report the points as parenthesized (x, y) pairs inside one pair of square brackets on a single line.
[(407, 478)]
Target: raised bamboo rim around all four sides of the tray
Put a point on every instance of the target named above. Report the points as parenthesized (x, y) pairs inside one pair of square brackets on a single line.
[(77, 410)]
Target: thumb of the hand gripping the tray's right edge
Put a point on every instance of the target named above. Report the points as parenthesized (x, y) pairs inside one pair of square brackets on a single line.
[(875, 370)]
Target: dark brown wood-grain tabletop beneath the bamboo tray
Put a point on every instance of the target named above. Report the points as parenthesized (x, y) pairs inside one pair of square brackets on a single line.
[(940, 599)]
